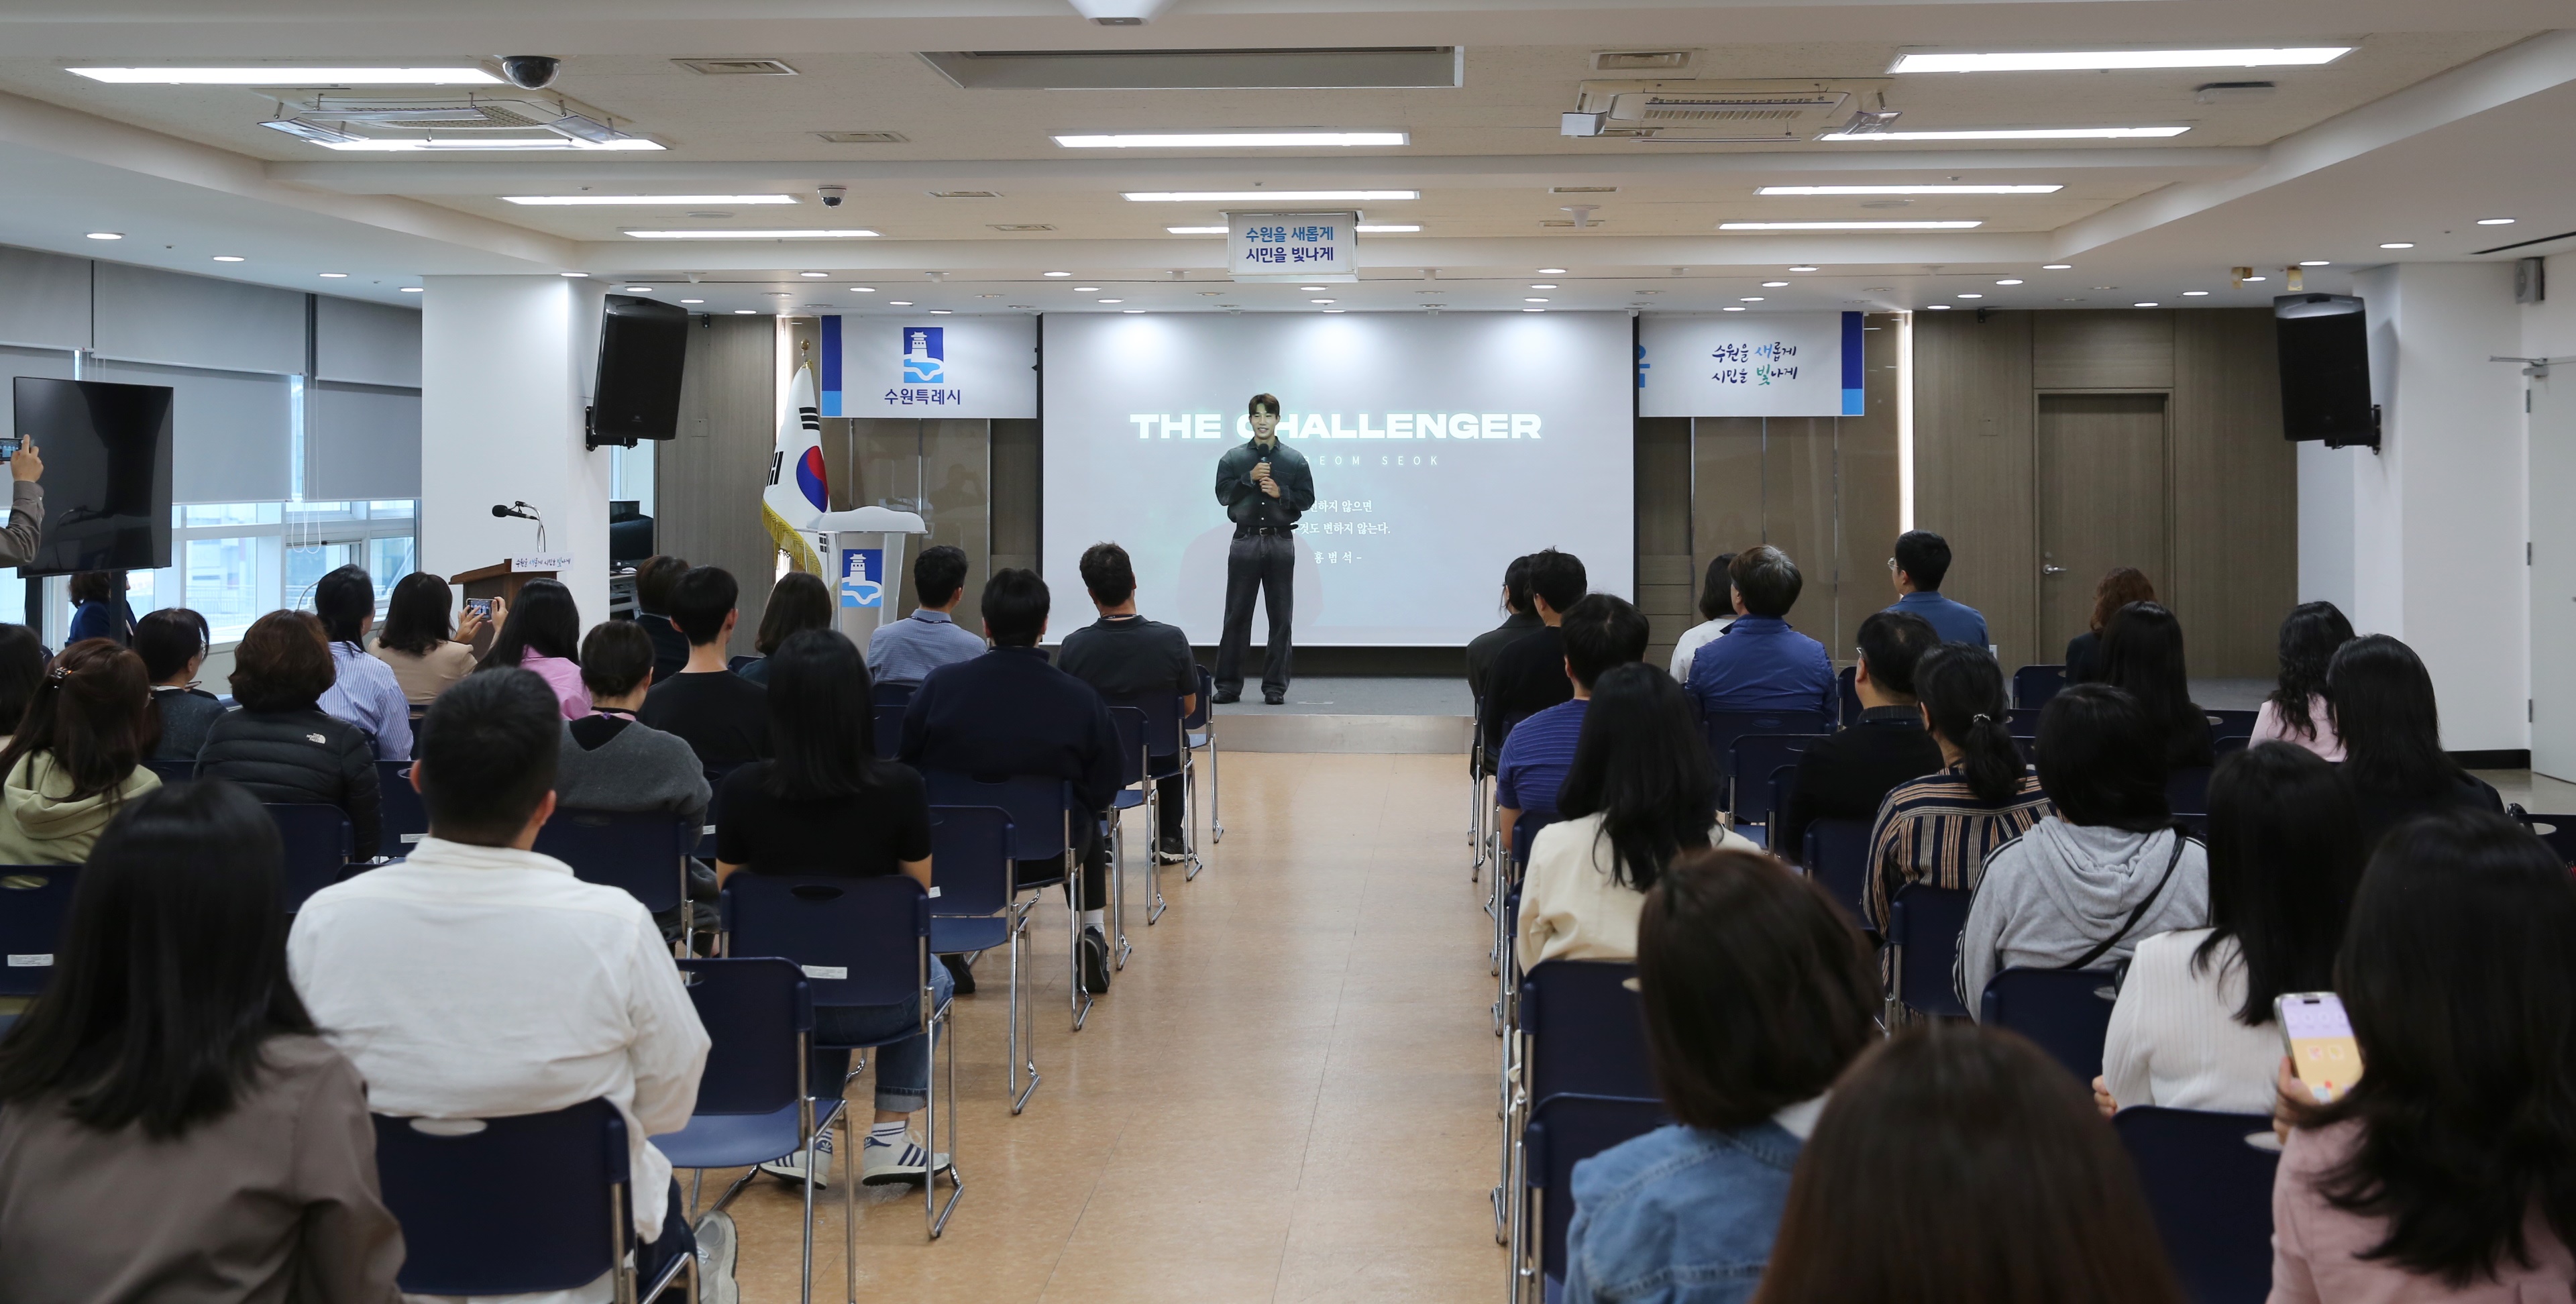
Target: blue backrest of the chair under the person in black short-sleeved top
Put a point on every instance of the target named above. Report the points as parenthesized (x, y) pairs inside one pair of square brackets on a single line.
[(859, 942)]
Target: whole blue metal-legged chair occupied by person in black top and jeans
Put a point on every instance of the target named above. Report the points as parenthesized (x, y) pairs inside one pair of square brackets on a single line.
[(859, 942)]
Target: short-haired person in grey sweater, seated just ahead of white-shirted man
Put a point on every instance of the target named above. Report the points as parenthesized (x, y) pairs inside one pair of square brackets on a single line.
[(609, 759)]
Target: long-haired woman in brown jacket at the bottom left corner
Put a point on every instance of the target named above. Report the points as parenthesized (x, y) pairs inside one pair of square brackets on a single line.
[(171, 1122)]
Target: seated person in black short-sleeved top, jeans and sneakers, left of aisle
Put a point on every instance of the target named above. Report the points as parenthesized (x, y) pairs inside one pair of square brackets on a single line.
[(828, 808)]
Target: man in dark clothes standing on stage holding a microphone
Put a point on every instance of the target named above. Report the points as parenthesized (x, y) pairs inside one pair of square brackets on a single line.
[(1264, 488)]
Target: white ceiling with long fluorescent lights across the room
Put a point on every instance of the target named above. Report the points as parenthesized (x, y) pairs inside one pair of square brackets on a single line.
[(2443, 115)]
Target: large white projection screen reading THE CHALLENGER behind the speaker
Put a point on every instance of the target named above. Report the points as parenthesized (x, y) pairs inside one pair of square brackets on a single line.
[(1441, 450)]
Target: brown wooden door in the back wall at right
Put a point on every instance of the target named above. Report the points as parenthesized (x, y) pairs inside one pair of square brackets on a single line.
[(2103, 504)]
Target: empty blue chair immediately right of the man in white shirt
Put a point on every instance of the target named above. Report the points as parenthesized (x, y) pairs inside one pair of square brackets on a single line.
[(753, 1097)]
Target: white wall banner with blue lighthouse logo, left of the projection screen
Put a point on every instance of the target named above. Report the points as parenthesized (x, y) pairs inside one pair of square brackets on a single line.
[(931, 367)]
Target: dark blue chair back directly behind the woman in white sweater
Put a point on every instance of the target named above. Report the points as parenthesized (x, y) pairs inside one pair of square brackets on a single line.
[(2209, 1182)]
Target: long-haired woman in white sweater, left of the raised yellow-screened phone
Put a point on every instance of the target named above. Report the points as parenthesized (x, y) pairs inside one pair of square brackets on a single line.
[(2193, 1027)]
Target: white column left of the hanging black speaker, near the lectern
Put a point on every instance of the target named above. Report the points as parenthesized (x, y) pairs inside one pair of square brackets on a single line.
[(506, 365)]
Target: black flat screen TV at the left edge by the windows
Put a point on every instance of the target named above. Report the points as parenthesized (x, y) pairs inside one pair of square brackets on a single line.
[(107, 473)]
